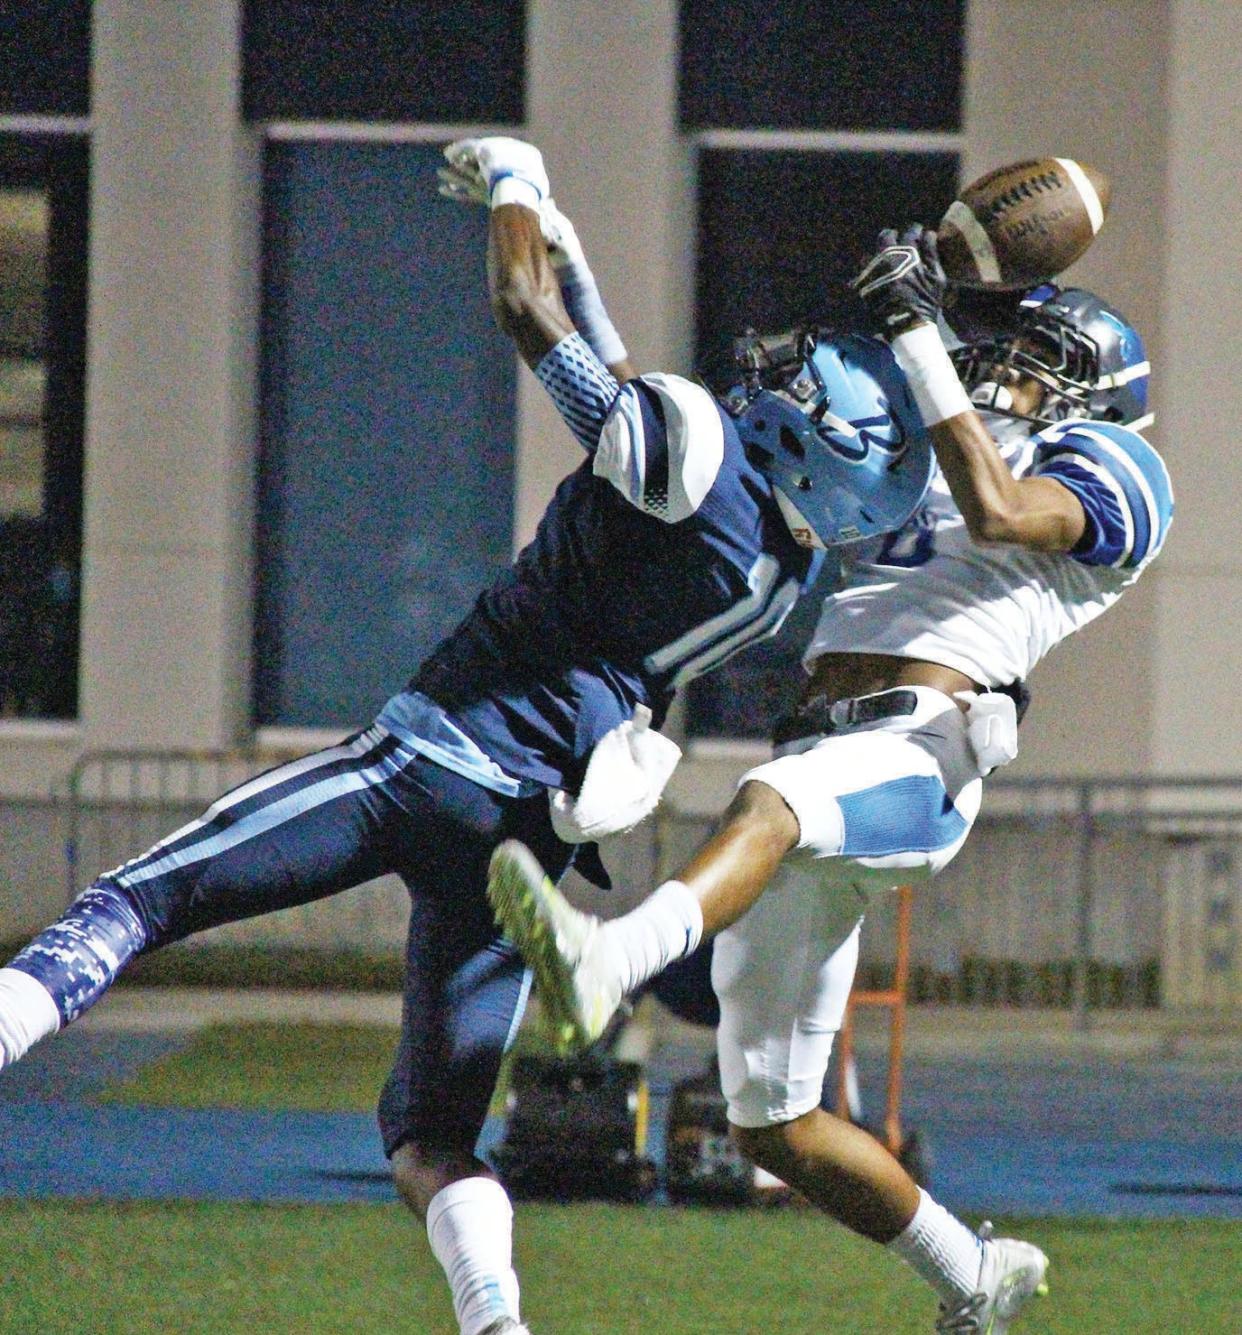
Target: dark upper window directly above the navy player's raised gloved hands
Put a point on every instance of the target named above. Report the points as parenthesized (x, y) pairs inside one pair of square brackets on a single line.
[(421, 61)]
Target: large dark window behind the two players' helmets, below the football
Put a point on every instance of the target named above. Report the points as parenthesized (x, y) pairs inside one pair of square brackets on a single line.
[(779, 237)]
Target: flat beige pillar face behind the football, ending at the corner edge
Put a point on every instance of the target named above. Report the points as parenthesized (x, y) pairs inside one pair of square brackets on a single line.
[(1089, 82)]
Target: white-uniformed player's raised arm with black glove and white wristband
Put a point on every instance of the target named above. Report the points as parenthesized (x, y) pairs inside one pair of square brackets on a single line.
[(905, 288)]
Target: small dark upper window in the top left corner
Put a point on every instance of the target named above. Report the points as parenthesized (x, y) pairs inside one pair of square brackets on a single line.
[(46, 58)]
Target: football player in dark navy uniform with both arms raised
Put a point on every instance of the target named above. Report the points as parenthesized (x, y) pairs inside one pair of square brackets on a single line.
[(672, 547)]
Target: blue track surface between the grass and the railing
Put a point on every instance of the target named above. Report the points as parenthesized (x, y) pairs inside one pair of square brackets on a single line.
[(1072, 1138)]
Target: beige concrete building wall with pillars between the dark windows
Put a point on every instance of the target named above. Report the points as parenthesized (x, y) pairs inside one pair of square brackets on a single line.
[(1147, 90)]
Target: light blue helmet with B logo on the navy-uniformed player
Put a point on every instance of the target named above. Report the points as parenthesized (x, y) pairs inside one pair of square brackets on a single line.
[(831, 421)]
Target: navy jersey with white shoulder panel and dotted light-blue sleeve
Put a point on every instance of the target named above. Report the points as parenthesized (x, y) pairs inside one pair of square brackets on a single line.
[(658, 560)]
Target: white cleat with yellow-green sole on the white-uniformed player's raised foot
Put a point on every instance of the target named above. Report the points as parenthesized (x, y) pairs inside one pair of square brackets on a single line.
[(562, 945)]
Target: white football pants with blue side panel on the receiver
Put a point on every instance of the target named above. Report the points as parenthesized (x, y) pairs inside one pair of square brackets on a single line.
[(881, 806)]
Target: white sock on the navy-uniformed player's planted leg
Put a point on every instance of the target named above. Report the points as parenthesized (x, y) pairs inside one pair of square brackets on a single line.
[(471, 1230)]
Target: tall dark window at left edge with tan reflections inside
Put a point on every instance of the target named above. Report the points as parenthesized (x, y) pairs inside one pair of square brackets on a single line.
[(43, 308)]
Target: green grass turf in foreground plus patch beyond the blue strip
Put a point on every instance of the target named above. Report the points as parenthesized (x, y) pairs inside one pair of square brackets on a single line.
[(587, 1270)]
